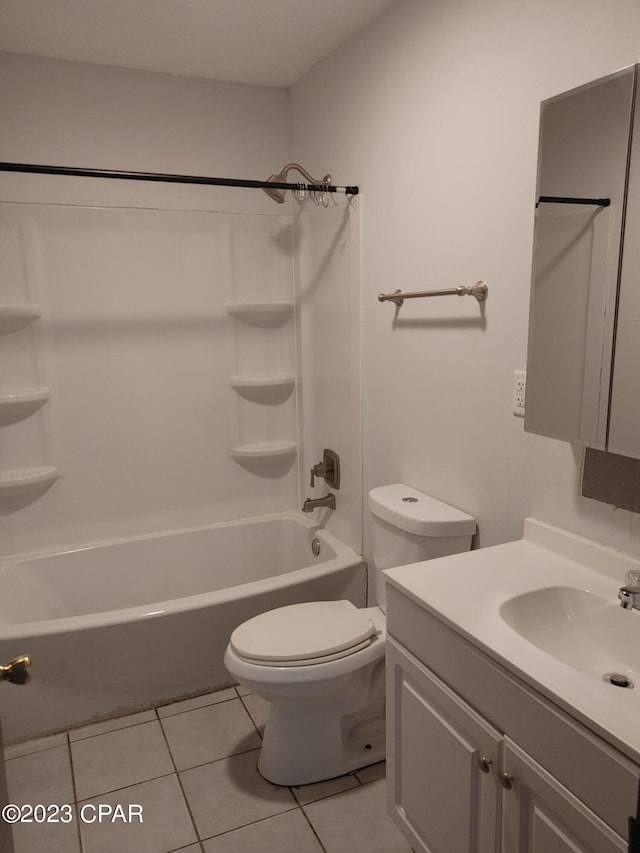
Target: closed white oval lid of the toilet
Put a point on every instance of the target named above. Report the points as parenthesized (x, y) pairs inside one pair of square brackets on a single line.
[(298, 632)]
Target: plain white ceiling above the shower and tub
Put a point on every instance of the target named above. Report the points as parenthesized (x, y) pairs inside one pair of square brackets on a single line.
[(266, 42)]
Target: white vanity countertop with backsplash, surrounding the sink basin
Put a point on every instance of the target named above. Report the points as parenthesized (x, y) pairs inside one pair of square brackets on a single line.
[(466, 592)]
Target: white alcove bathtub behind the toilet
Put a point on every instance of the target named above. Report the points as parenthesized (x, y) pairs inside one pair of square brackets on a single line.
[(120, 626)]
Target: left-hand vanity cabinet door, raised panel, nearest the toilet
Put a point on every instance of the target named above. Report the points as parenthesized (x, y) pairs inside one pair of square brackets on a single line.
[(442, 762)]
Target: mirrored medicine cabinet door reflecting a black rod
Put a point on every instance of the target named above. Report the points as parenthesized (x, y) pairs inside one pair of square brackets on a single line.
[(580, 213)]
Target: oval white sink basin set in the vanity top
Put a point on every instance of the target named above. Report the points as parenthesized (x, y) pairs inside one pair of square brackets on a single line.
[(578, 628)]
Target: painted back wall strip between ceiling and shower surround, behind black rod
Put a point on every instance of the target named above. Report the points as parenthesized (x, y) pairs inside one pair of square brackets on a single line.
[(76, 114)]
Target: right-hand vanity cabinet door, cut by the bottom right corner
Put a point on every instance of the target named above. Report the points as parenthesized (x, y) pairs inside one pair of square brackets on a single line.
[(539, 815)]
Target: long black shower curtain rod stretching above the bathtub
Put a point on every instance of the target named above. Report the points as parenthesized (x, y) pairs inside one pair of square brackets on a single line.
[(34, 168)]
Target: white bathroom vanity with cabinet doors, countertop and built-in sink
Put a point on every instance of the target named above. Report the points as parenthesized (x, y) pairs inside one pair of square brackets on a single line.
[(505, 732)]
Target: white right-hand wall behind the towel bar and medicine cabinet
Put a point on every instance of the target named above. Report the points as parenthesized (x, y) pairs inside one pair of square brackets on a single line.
[(433, 110)]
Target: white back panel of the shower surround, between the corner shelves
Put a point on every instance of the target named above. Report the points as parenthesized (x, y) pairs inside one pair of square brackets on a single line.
[(140, 348)]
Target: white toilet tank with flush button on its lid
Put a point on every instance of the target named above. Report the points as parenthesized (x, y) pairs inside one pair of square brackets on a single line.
[(409, 526)]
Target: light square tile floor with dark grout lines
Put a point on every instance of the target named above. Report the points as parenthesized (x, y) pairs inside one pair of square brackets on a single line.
[(191, 766)]
